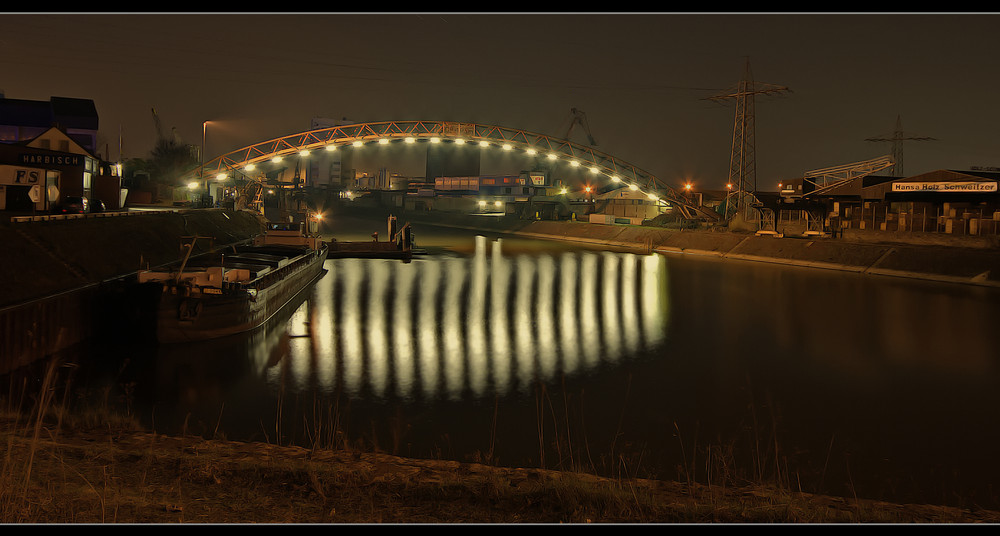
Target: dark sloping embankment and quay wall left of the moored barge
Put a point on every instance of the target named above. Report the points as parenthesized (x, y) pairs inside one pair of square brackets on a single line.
[(62, 279)]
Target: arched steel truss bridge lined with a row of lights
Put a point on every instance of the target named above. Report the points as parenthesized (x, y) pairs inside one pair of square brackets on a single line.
[(244, 161)]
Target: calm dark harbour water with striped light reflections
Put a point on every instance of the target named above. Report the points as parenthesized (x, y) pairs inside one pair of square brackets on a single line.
[(542, 354)]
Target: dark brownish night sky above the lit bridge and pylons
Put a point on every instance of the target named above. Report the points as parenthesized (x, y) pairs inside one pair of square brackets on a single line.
[(641, 78)]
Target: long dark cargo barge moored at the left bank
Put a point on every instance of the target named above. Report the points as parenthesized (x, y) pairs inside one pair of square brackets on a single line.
[(235, 290)]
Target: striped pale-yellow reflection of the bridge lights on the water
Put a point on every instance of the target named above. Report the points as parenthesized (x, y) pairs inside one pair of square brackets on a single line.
[(451, 327)]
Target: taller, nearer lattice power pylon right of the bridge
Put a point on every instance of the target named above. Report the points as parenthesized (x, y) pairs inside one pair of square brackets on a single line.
[(742, 164)]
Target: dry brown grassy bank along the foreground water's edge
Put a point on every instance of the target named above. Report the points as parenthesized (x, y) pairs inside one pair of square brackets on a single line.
[(70, 458)]
